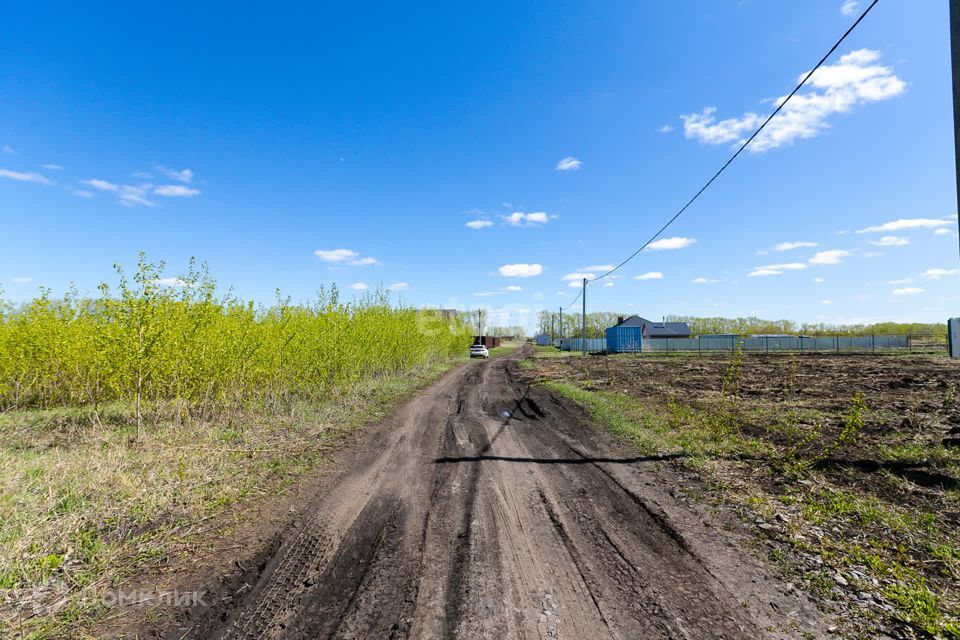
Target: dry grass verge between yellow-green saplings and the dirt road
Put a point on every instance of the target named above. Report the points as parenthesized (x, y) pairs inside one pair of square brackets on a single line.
[(84, 503)]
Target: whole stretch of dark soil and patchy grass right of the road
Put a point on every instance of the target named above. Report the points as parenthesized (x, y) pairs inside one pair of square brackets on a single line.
[(847, 466)]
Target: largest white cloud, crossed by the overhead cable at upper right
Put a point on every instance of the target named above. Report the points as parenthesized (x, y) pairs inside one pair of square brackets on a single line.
[(852, 81)]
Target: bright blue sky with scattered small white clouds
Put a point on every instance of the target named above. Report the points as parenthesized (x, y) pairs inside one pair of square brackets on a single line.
[(478, 155)]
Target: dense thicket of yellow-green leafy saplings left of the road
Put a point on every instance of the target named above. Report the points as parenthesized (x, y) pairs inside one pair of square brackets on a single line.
[(156, 339)]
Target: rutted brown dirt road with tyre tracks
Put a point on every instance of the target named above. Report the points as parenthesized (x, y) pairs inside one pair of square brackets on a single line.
[(487, 509)]
